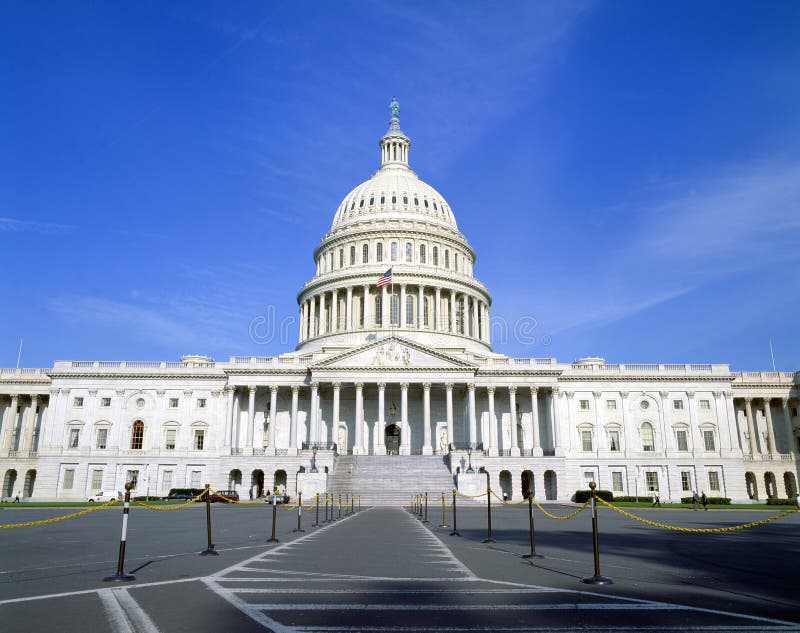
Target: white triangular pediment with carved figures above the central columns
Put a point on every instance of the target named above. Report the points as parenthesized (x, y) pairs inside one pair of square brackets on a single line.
[(393, 353)]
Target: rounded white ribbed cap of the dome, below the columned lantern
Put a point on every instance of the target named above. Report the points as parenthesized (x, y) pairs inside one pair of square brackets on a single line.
[(396, 192)]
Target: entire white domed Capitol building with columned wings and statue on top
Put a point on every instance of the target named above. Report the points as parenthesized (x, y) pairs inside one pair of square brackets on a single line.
[(395, 389)]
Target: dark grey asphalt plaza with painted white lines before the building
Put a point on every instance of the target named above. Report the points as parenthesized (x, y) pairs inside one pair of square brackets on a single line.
[(382, 569)]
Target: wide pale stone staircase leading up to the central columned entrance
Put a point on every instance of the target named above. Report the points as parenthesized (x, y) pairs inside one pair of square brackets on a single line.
[(383, 480)]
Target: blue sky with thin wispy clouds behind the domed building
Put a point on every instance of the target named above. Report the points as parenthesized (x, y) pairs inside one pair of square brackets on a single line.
[(628, 172)]
